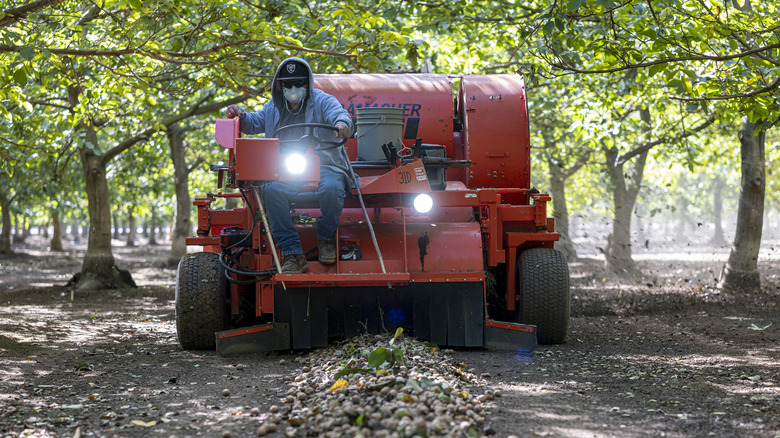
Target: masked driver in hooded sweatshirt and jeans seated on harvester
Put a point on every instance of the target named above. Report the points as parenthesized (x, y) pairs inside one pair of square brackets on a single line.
[(294, 100)]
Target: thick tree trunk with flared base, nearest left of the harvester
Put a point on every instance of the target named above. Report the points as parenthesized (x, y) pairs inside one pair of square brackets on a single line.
[(98, 270)]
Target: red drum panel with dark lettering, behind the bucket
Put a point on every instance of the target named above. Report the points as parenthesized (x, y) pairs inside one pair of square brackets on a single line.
[(425, 98)]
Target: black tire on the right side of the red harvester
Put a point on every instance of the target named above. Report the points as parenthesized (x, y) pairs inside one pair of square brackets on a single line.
[(543, 288)]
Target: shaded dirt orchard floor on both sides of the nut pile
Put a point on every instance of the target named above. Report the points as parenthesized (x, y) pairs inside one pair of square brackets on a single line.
[(664, 356)]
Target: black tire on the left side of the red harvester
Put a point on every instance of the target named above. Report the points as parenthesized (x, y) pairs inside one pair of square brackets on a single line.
[(201, 297)]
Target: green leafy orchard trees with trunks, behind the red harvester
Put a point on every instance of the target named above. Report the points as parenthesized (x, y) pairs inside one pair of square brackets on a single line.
[(111, 90)]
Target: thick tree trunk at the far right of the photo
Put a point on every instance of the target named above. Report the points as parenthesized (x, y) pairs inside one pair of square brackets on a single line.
[(741, 270)]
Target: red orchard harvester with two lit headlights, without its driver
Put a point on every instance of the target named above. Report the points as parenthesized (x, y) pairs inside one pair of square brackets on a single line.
[(444, 235)]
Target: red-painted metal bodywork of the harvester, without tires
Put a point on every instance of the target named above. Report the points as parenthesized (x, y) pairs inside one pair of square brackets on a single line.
[(485, 217)]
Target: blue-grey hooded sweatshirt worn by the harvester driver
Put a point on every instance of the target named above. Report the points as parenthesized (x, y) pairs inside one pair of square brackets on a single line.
[(320, 107)]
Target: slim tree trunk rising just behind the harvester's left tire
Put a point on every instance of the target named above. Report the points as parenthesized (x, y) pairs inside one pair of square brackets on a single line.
[(182, 225)]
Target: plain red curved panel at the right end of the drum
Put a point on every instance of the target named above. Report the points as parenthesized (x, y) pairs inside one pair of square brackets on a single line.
[(494, 113)]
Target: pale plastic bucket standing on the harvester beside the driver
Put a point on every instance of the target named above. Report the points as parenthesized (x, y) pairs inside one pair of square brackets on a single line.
[(378, 126)]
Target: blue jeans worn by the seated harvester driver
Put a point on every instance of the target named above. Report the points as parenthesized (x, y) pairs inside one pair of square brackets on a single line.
[(331, 191)]
